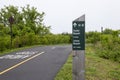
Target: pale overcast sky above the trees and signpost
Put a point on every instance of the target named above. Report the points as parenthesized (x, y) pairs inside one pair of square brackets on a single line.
[(61, 13)]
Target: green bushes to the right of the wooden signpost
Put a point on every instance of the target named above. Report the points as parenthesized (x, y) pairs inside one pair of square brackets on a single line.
[(107, 43)]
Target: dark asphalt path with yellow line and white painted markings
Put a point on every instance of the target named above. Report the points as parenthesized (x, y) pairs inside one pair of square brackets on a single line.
[(38, 63)]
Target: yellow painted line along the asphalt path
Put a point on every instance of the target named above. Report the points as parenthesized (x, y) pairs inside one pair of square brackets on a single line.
[(8, 69)]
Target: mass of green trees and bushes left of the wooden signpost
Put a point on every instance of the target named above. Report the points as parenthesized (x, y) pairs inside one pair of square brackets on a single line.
[(28, 28)]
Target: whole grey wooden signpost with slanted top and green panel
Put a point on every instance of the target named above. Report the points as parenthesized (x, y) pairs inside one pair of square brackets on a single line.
[(78, 46)]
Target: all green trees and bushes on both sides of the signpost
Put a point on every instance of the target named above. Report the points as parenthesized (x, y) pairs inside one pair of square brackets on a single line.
[(29, 29)]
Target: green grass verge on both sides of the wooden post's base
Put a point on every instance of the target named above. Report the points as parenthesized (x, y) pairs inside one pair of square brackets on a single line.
[(96, 68)]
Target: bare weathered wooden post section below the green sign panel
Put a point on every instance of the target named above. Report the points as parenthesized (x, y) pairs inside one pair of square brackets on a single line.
[(79, 65)]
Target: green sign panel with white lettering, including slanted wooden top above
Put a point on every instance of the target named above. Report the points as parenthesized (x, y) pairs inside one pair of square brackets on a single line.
[(78, 33)]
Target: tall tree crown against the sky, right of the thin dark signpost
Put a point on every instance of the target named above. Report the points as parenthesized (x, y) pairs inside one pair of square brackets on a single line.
[(33, 19)]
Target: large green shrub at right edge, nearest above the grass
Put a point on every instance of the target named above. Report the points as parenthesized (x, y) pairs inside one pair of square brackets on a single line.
[(109, 48)]
